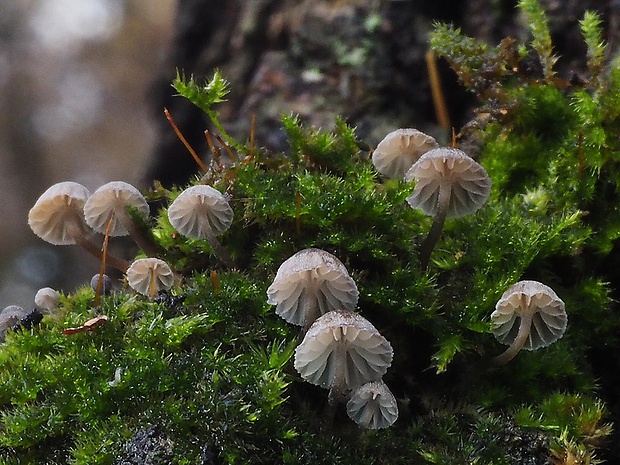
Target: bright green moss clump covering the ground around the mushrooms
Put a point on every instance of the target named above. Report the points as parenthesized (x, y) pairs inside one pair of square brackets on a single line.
[(203, 374)]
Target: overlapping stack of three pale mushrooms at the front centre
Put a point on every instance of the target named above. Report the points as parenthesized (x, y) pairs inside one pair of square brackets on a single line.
[(341, 350)]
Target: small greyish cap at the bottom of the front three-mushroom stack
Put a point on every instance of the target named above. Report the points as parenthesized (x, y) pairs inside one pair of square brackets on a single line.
[(373, 406)]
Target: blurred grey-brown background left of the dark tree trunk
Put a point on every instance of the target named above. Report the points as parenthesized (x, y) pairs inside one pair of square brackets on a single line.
[(75, 78)]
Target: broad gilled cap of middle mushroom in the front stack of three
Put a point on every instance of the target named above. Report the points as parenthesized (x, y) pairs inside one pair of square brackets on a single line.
[(342, 350)]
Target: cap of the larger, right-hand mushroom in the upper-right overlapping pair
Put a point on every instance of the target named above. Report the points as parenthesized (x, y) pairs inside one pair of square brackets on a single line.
[(468, 180)]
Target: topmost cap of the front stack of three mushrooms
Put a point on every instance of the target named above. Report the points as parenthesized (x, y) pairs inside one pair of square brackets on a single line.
[(309, 284)]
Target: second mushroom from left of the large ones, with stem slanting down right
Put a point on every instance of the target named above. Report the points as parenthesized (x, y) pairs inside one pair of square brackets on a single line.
[(107, 206)]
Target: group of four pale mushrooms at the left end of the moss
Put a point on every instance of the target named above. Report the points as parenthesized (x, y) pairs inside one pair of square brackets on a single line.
[(67, 213)]
